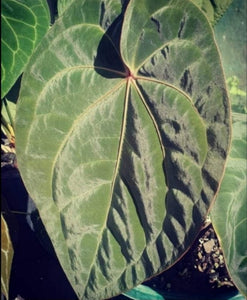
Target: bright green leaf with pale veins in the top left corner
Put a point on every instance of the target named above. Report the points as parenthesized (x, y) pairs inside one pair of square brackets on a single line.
[(23, 24)]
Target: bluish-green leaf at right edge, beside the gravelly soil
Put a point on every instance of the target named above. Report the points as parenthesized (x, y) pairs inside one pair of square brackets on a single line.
[(229, 211)]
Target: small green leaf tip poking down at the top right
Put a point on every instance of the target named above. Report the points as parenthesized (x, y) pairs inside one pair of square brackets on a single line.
[(214, 10)]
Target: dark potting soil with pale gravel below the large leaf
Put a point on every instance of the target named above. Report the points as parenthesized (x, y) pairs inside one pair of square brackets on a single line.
[(201, 271)]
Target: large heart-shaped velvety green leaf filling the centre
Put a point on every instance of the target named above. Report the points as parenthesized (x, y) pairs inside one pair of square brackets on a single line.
[(122, 134)]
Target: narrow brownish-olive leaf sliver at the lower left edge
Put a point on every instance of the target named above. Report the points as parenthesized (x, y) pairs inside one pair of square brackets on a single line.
[(6, 257)]
